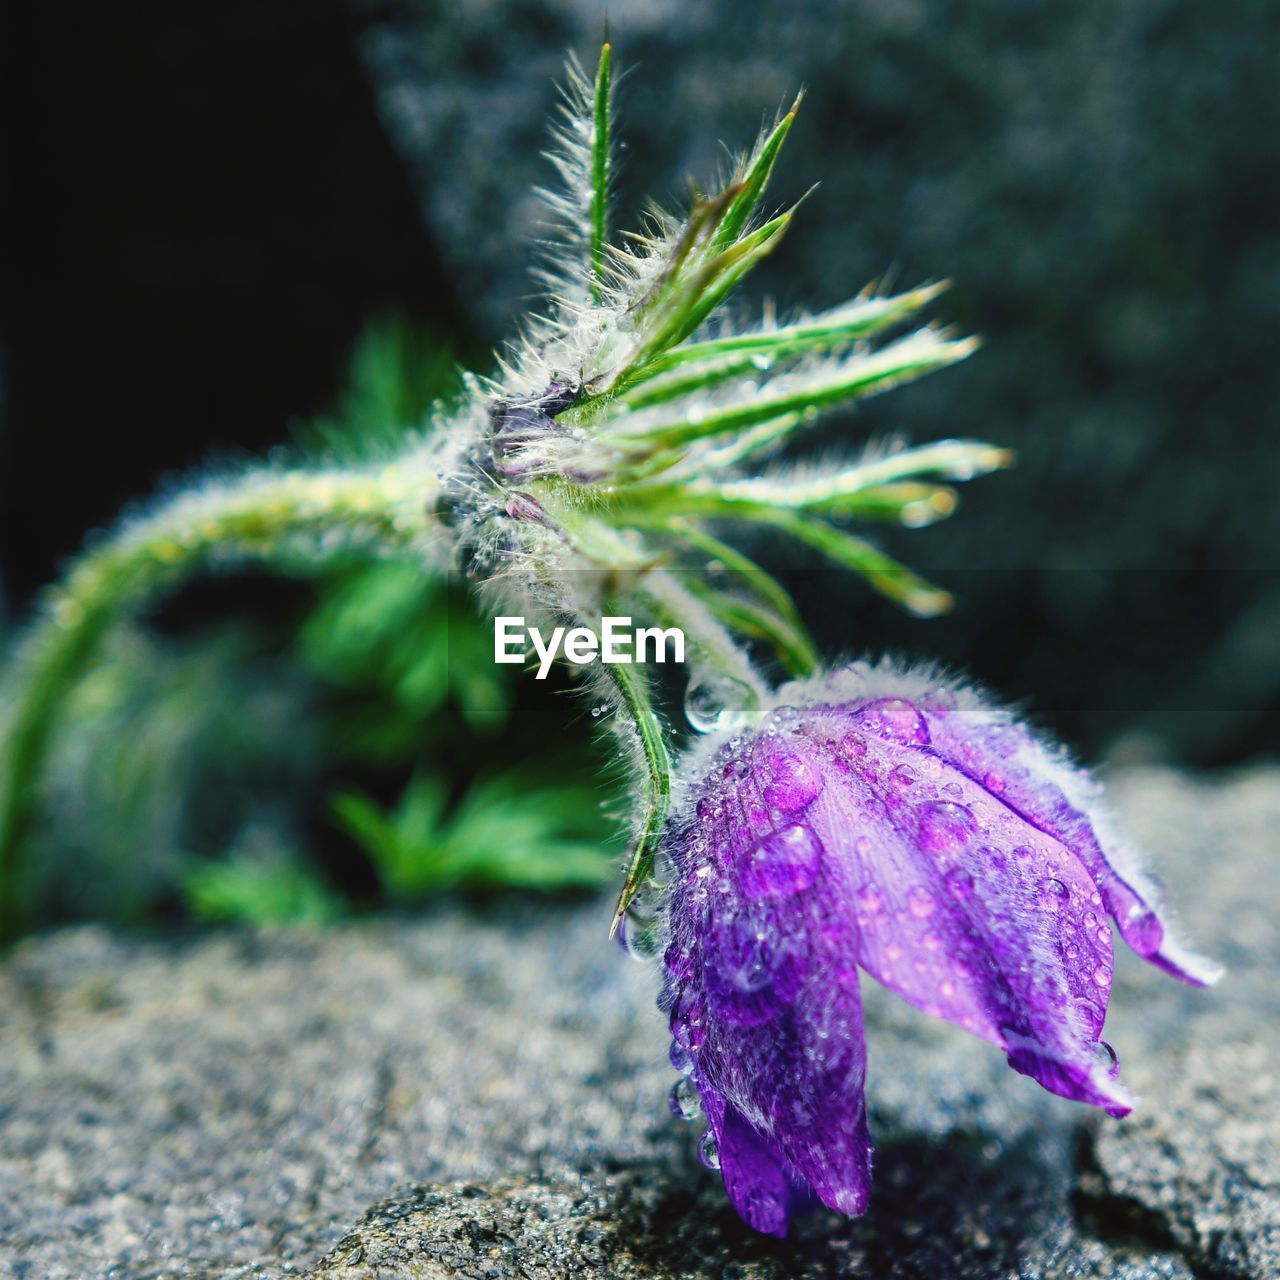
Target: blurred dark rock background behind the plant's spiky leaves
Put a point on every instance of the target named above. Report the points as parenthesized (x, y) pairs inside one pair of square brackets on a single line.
[(205, 207)]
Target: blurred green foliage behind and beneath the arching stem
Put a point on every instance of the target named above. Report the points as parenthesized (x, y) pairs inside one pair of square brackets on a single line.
[(362, 752)]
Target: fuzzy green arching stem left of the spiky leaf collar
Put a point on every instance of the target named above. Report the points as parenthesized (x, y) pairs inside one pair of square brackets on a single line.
[(272, 518)]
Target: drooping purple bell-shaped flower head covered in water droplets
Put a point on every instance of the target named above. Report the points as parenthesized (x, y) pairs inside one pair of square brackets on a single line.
[(892, 824)]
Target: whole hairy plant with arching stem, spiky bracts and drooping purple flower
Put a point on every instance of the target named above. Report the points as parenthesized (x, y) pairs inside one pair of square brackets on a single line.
[(600, 472)]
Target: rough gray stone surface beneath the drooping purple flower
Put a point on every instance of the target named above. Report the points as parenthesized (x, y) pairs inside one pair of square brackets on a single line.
[(493, 1084)]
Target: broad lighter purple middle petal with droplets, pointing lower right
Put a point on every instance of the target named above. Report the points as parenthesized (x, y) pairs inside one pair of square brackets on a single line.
[(966, 909)]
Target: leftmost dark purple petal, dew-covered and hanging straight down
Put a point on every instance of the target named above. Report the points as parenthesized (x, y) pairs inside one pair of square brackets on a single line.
[(767, 1002)]
